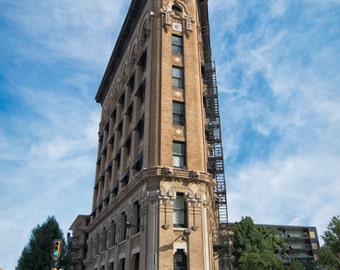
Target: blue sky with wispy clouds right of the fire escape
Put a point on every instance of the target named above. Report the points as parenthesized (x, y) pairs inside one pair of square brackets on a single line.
[(277, 67)]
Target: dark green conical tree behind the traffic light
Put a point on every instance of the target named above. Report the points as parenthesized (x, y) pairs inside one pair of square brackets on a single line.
[(36, 255)]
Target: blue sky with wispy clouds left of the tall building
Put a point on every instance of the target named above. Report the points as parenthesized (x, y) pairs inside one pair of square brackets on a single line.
[(53, 55)]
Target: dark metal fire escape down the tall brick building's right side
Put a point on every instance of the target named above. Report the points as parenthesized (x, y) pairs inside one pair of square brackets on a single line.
[(214, 140)]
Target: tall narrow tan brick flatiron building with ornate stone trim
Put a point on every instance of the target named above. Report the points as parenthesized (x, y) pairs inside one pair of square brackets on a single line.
[(159, 192)]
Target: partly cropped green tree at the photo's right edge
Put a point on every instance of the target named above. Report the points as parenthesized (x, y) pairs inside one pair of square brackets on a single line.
[(329, 253)]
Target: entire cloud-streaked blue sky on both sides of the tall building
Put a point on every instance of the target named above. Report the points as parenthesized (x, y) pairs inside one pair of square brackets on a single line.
[(278, 75)]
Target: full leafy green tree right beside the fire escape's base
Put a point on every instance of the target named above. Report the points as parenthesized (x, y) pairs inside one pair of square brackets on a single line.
[(256, 247)]
